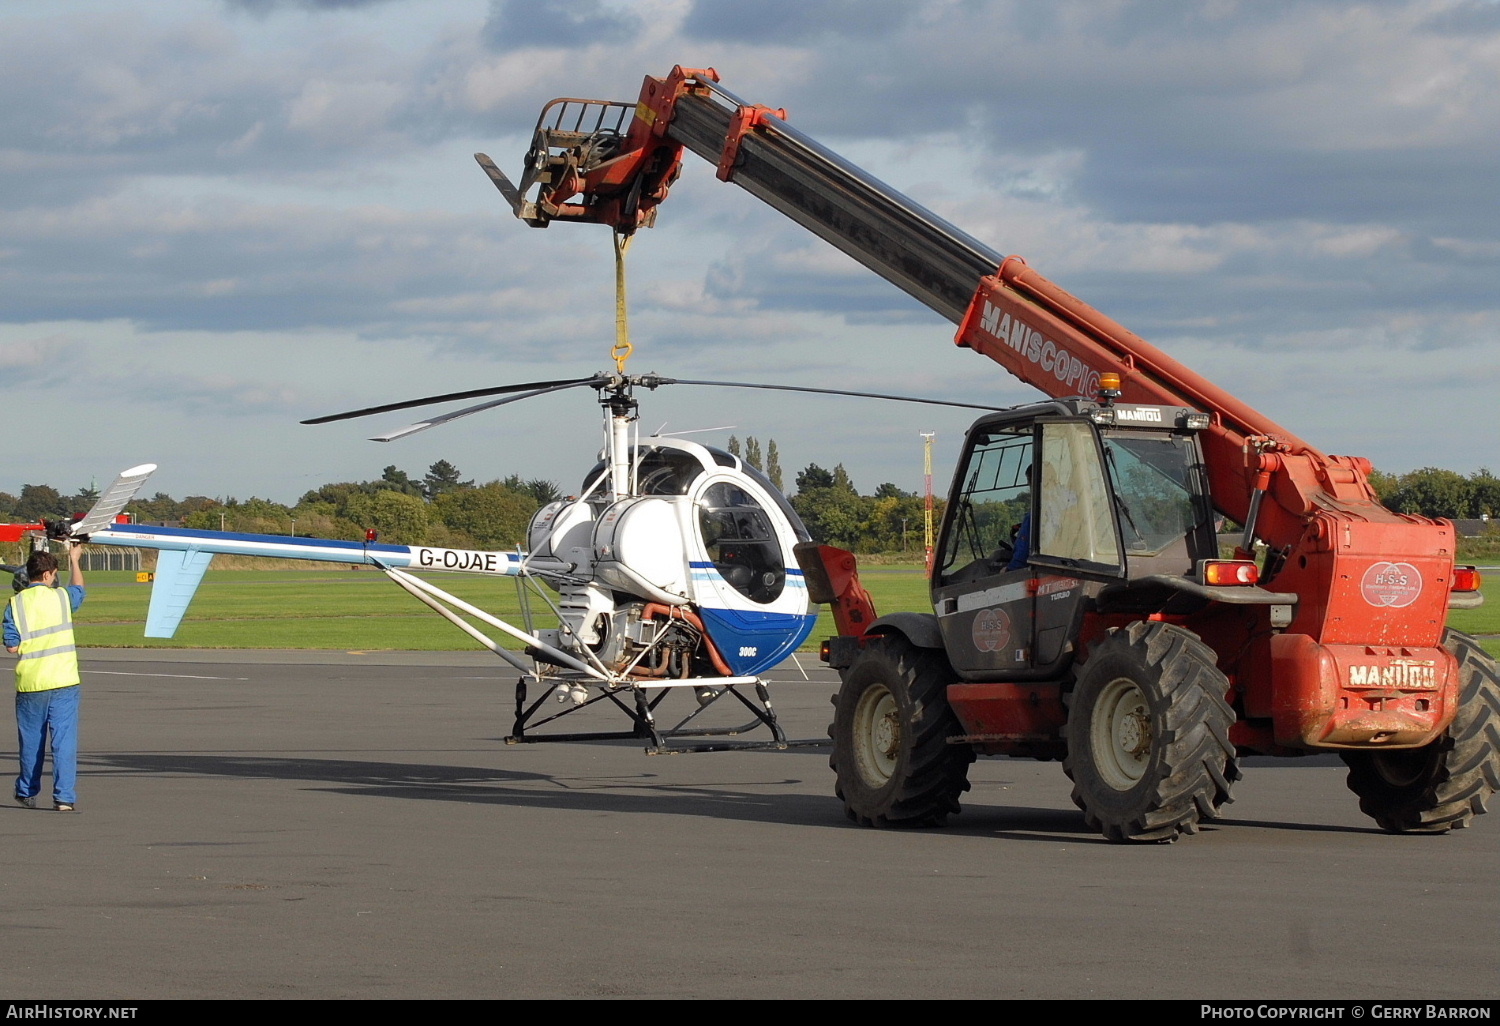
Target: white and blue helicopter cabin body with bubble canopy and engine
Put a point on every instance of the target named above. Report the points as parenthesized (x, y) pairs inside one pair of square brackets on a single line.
[(703, 545)]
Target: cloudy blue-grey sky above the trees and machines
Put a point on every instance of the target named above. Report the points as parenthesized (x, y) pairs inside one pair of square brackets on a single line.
[(223, 217)]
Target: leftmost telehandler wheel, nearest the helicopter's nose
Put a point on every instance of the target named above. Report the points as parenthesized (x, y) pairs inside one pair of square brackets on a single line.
[(892, 761)]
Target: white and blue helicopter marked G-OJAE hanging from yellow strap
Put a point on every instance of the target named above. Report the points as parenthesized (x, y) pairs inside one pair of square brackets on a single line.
[(674, 568)]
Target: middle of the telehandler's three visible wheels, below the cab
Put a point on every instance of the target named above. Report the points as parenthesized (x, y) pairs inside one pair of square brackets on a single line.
[(1148, 734)]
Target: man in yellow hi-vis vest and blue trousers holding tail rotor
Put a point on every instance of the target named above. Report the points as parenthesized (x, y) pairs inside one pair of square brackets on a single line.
[(38, 626)]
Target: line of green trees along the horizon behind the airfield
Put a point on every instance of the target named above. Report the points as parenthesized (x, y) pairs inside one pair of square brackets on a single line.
[(443, 509)]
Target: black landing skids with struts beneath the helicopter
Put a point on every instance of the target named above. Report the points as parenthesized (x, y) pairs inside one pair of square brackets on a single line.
[(641, 710)]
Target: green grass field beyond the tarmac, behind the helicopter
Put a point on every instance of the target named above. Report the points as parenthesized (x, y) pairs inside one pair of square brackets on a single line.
[(362, 611)]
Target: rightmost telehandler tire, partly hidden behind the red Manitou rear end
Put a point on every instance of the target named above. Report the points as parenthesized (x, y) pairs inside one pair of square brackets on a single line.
[(1444, 785)]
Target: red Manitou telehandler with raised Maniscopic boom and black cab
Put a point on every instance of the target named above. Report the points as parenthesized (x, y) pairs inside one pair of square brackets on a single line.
[(1081, 607)]
